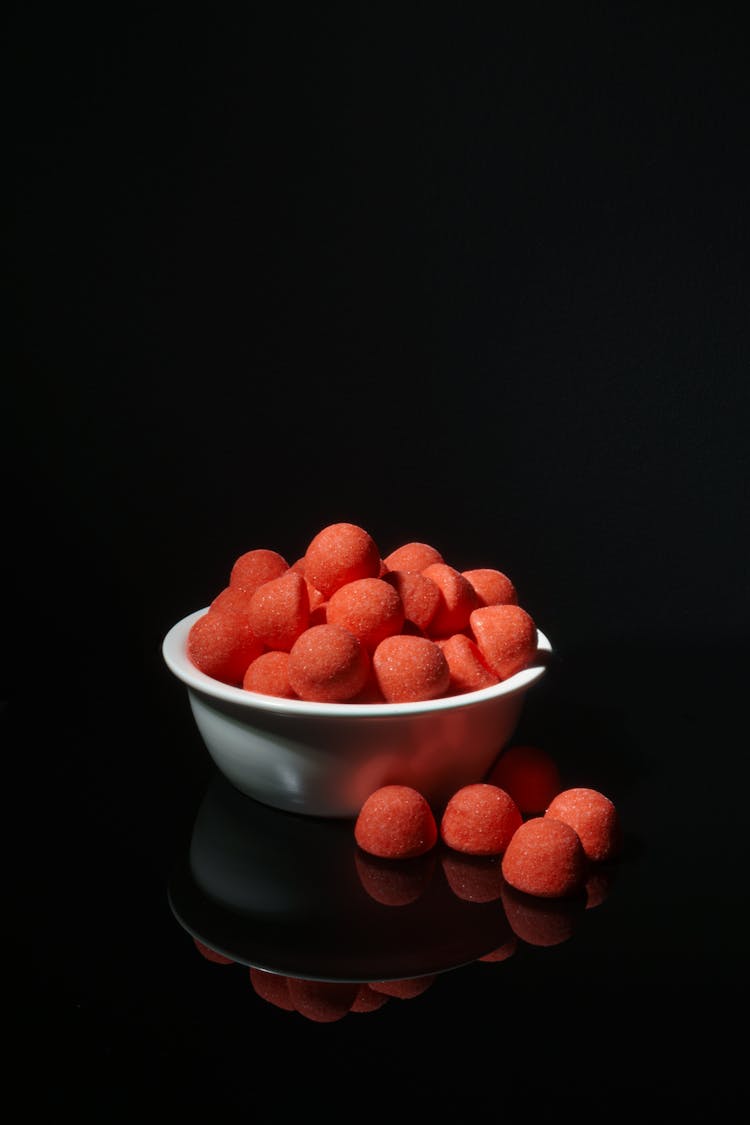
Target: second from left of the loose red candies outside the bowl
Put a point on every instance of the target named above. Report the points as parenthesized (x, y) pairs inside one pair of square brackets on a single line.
[(480, 820)]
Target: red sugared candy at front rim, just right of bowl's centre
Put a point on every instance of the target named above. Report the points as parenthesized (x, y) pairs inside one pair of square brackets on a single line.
[(411, 669)]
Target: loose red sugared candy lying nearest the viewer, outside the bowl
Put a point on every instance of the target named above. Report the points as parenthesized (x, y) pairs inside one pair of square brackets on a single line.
[(546, 859)]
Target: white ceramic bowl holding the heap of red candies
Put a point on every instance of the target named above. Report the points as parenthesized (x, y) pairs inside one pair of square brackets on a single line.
[(324, 760)]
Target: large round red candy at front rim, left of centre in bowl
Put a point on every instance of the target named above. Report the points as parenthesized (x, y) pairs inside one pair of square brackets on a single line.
[(328, 665)]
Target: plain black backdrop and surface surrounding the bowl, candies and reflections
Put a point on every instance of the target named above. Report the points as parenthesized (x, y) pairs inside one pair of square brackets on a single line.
[(477, 278)]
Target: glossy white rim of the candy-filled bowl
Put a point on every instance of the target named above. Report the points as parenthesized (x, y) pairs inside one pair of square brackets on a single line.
[(176, 658)]
